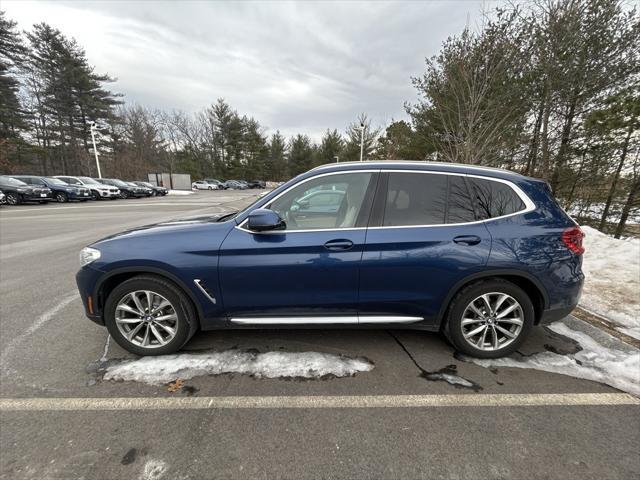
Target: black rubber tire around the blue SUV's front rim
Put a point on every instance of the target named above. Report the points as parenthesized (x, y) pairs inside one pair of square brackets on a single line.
[(187, 323)]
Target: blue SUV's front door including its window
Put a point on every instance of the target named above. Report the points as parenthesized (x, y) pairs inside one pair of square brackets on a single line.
[(307, 273)]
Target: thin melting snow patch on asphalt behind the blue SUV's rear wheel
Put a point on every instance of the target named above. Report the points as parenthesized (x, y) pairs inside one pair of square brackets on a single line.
[(619, 368)]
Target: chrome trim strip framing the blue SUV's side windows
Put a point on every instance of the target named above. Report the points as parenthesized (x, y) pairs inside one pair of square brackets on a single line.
[(529, 205)]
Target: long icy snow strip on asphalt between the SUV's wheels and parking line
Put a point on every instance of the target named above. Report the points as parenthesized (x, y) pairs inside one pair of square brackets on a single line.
[(164, 369)]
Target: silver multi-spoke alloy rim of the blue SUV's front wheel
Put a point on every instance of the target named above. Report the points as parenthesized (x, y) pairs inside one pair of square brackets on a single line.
[(146, 319)]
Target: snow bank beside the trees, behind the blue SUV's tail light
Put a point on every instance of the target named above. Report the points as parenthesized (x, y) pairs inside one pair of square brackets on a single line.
[(612, 284)]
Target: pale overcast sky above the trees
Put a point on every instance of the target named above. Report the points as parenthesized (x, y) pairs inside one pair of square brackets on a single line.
[(296, 67)]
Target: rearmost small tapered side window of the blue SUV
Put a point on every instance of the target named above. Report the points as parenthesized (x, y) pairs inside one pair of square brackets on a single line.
[(494, 199)]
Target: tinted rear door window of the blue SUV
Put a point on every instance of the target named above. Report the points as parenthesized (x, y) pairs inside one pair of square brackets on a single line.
[(415, 199)]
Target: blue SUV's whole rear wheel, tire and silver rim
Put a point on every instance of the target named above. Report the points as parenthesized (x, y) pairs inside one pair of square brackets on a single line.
[(489, 319)]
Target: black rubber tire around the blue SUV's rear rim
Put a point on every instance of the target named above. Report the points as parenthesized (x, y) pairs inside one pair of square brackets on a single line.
[(453, 329)]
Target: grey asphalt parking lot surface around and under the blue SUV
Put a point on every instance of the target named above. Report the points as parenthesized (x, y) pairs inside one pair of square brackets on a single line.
[(402, 419)]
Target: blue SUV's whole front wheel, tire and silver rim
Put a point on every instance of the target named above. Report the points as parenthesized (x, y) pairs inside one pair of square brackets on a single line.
[(148, 315)]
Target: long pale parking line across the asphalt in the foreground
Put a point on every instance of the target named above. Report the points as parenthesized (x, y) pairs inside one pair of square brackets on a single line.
[(373, 401)]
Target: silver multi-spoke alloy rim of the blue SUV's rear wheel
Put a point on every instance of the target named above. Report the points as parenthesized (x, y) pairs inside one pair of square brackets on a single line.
[(492, 321)]
